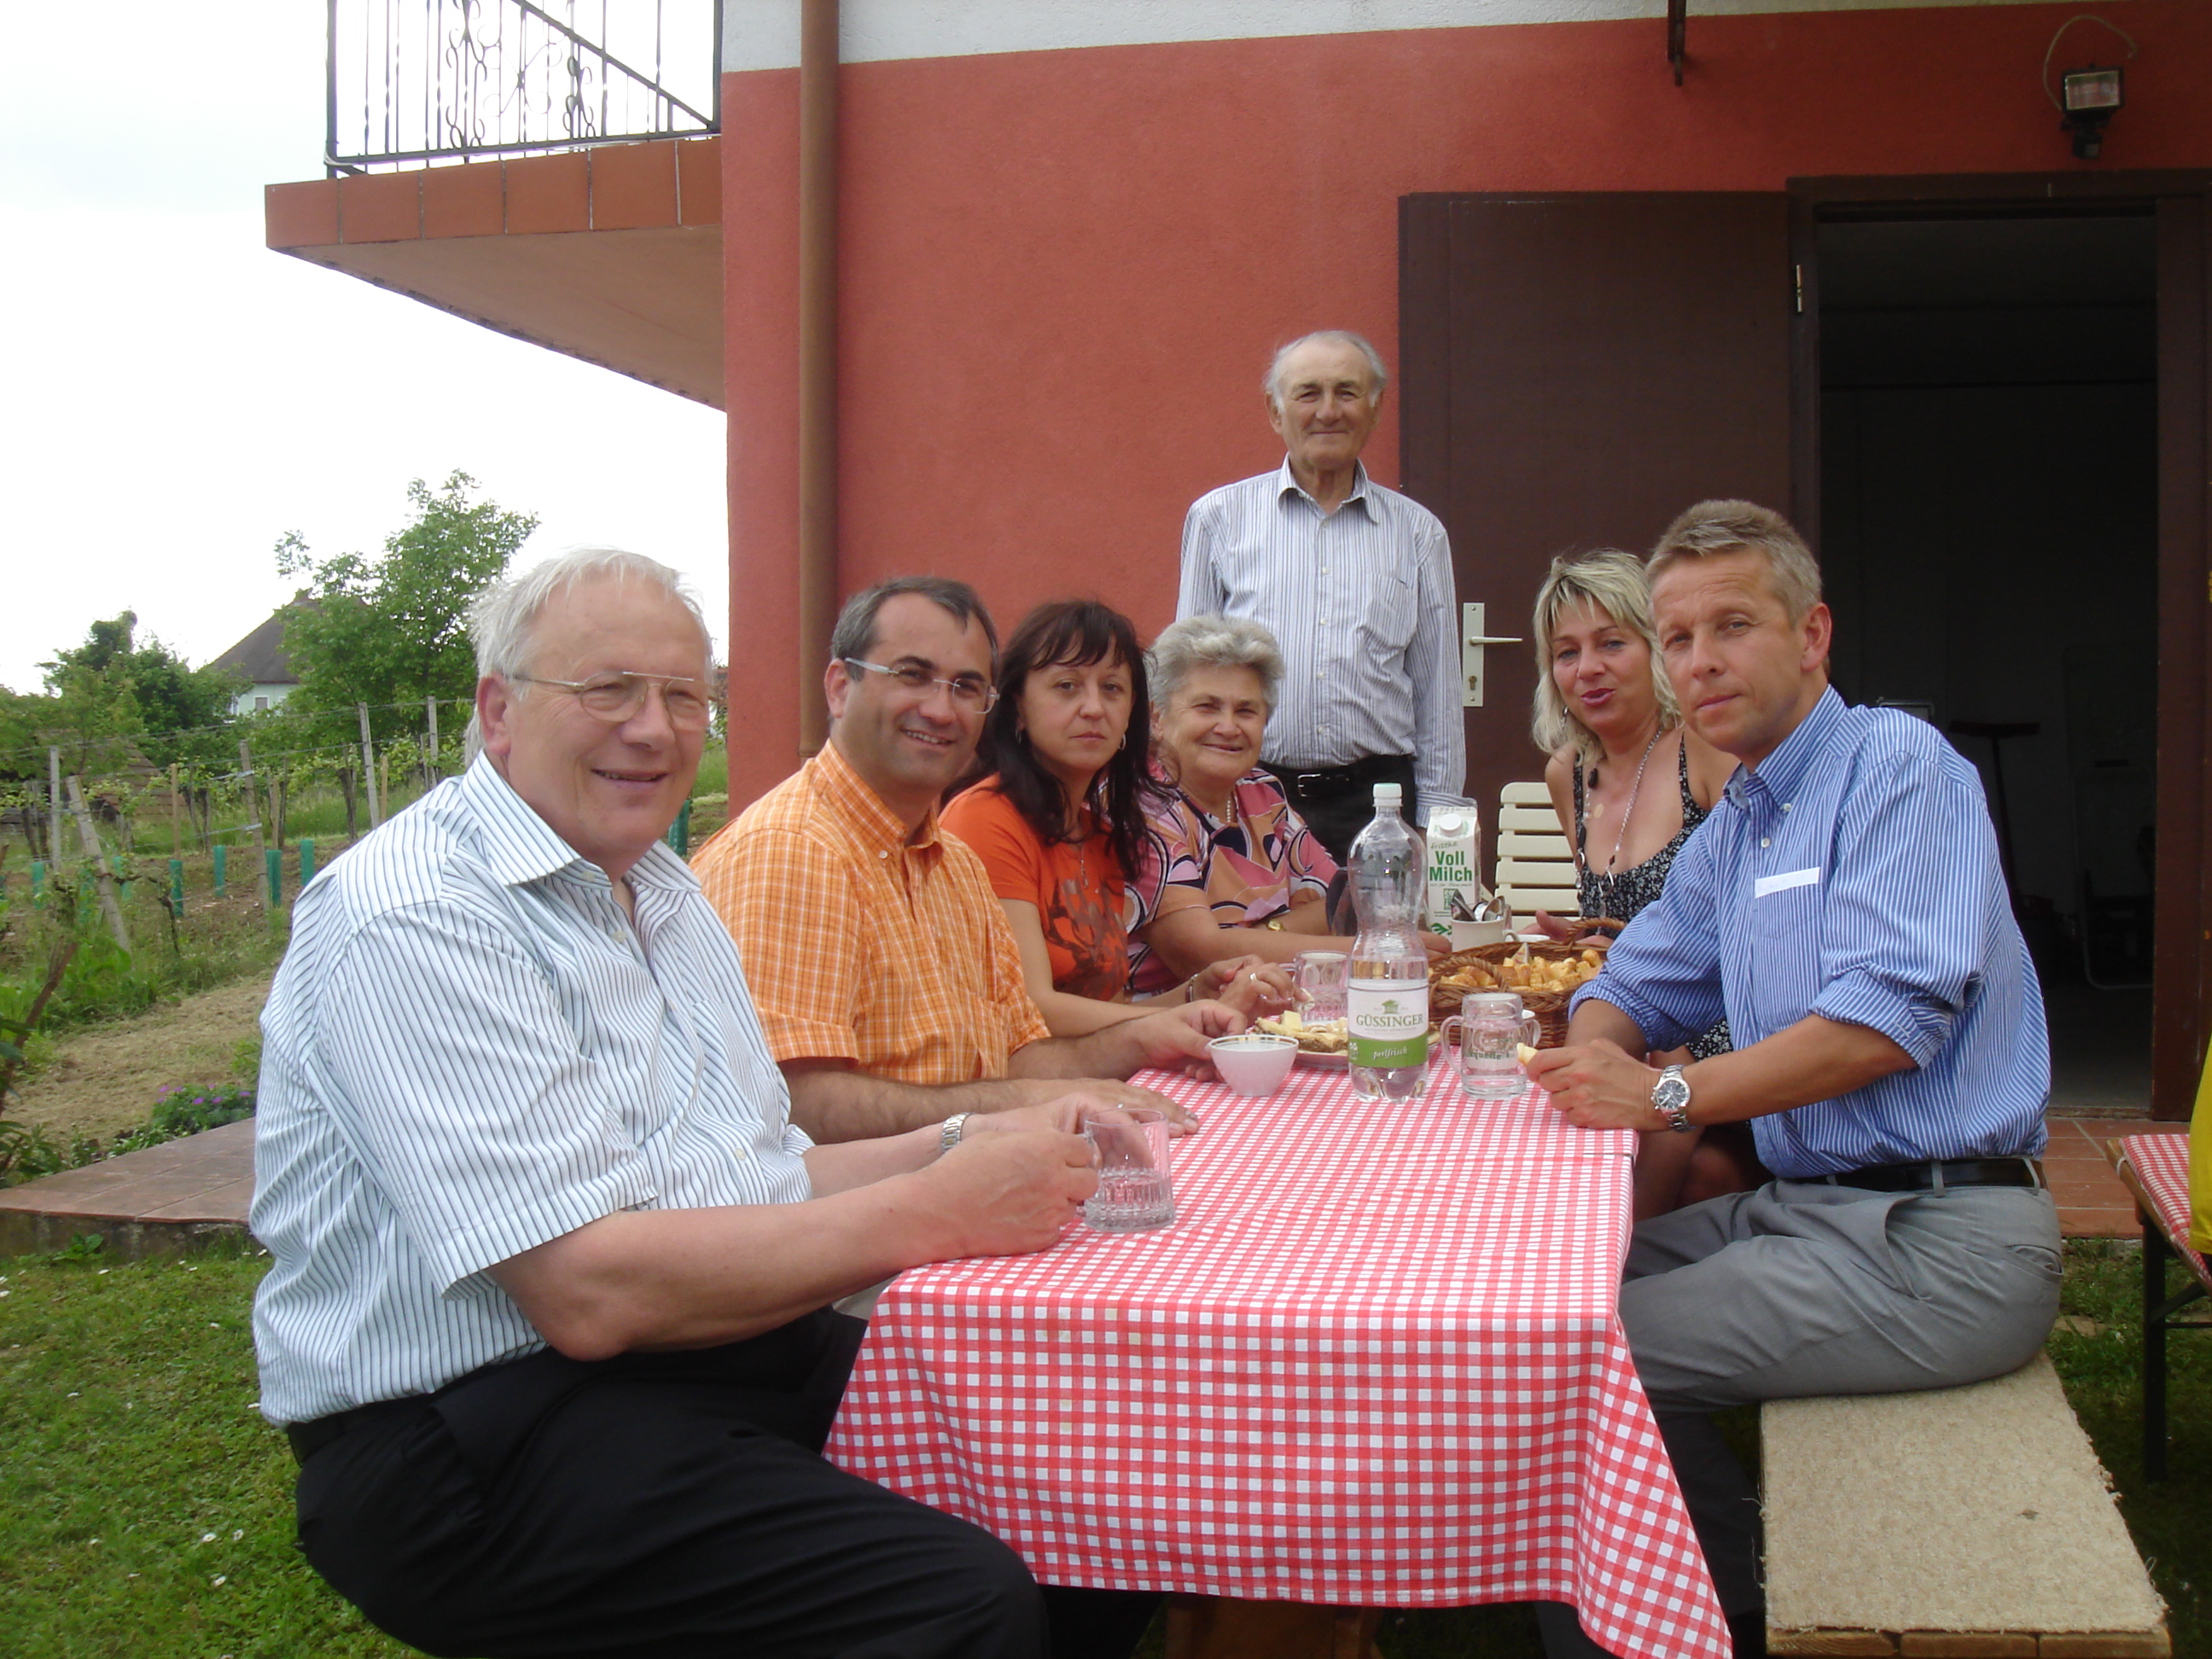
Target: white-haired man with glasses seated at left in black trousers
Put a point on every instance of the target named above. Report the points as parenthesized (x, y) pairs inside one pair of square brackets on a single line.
[(547, 1308)]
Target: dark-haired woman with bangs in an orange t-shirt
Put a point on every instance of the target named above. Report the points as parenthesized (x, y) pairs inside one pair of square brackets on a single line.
[(1058, 822)]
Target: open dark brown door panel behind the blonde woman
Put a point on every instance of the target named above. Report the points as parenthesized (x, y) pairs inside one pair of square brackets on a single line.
[(1576, 371)]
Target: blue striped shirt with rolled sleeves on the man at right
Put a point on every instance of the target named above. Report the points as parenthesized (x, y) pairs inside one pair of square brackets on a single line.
[(1855, 875)]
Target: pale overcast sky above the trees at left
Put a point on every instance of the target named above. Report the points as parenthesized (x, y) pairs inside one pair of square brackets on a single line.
[(178, 397)]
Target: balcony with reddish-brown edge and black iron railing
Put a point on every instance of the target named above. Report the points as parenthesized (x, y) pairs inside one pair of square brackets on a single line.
[(532, 171)]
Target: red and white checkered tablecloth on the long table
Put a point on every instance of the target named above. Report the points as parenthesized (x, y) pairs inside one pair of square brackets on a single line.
[(1373, 1364)]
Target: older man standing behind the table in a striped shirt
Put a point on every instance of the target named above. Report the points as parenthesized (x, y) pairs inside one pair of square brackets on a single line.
[(1355, 583)]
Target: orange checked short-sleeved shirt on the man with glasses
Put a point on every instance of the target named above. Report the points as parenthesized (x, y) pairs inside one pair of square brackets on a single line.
[(862, 946)]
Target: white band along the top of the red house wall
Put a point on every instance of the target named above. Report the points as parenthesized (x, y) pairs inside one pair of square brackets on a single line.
[(764, 34)]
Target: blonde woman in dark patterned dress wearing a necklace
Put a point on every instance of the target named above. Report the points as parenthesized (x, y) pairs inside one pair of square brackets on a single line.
[(1629, 784)]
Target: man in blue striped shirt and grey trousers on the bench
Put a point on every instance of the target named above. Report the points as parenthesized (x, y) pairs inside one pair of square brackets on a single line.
[(1848, 912)]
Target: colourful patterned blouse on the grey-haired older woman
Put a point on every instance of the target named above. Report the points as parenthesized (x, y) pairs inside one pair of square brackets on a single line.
[(1246, 868)]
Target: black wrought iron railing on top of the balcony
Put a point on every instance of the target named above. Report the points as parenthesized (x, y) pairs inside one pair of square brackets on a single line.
[(457, 81)]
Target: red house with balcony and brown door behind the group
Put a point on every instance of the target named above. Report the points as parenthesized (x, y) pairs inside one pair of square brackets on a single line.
[(1844, 262)]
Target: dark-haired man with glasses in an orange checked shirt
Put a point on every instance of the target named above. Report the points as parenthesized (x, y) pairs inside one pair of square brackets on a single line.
[(881, 963)]
